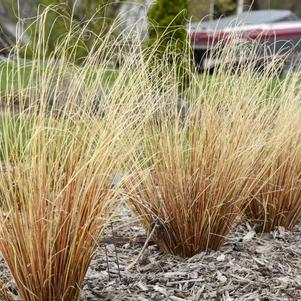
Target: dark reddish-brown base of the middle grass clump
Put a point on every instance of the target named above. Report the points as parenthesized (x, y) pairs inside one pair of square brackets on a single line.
[(170, 236)]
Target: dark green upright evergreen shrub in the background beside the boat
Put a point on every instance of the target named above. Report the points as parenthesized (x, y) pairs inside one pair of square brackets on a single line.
[(168, 35)]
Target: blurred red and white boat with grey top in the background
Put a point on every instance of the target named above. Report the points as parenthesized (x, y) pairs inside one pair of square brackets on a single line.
[(278, 30)]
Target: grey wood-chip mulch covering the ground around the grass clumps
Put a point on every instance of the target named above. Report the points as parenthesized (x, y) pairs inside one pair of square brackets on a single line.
[(249, 266)]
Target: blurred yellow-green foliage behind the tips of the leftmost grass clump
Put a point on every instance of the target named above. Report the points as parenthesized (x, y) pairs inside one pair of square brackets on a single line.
[(90, 18)]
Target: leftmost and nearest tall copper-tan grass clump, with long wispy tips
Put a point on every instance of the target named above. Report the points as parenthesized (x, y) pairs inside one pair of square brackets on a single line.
[(61, 147)]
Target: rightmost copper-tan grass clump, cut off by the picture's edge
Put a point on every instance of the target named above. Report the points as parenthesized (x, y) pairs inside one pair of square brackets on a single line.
[(276, 200)]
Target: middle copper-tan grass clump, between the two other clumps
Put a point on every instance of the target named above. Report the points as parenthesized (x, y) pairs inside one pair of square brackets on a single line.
[(197, 172)]
